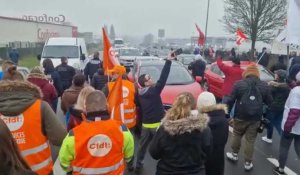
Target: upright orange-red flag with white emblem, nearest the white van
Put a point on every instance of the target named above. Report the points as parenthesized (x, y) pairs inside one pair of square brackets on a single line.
[(109, 57)]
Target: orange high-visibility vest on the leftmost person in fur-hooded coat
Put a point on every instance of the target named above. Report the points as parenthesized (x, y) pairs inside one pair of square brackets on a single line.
[(33, 145)]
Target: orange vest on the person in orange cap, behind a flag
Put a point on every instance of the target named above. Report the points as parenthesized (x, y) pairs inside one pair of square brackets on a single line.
[(128, 101)]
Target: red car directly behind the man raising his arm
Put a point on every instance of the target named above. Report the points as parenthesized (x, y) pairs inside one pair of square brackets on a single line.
[(179, 79)]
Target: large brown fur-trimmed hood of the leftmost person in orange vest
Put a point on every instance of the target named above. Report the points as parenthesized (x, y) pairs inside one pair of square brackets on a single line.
[(17, 96)]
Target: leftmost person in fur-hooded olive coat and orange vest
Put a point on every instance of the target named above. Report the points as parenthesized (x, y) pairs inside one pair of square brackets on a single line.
[(32, 123)]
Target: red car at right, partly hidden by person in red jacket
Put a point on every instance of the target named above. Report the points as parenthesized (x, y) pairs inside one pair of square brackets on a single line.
[(214, 77)]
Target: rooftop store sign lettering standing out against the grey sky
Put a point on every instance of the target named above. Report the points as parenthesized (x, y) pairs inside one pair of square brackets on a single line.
[(45, 18)]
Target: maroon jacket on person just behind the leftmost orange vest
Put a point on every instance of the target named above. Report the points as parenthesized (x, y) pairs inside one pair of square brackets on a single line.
[(48, 90)]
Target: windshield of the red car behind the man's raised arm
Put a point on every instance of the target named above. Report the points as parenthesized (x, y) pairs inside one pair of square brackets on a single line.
[(178, 74)]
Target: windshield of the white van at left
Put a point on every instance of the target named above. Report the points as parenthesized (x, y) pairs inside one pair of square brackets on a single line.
[(60, 51)]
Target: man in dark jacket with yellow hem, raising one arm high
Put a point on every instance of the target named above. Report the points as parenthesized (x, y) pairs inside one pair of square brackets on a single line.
[(151, 107)]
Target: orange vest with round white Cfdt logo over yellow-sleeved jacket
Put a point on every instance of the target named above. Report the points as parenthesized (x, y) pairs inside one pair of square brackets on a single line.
[(99, 148)]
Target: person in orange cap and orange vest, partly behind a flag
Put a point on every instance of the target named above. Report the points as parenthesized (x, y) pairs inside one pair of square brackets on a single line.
[(129, 96)]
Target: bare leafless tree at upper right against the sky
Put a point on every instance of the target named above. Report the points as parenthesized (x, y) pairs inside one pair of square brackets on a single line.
[(259, 19)]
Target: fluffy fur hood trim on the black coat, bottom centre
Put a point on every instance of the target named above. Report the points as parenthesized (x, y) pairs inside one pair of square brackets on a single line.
[(185, 125)]
